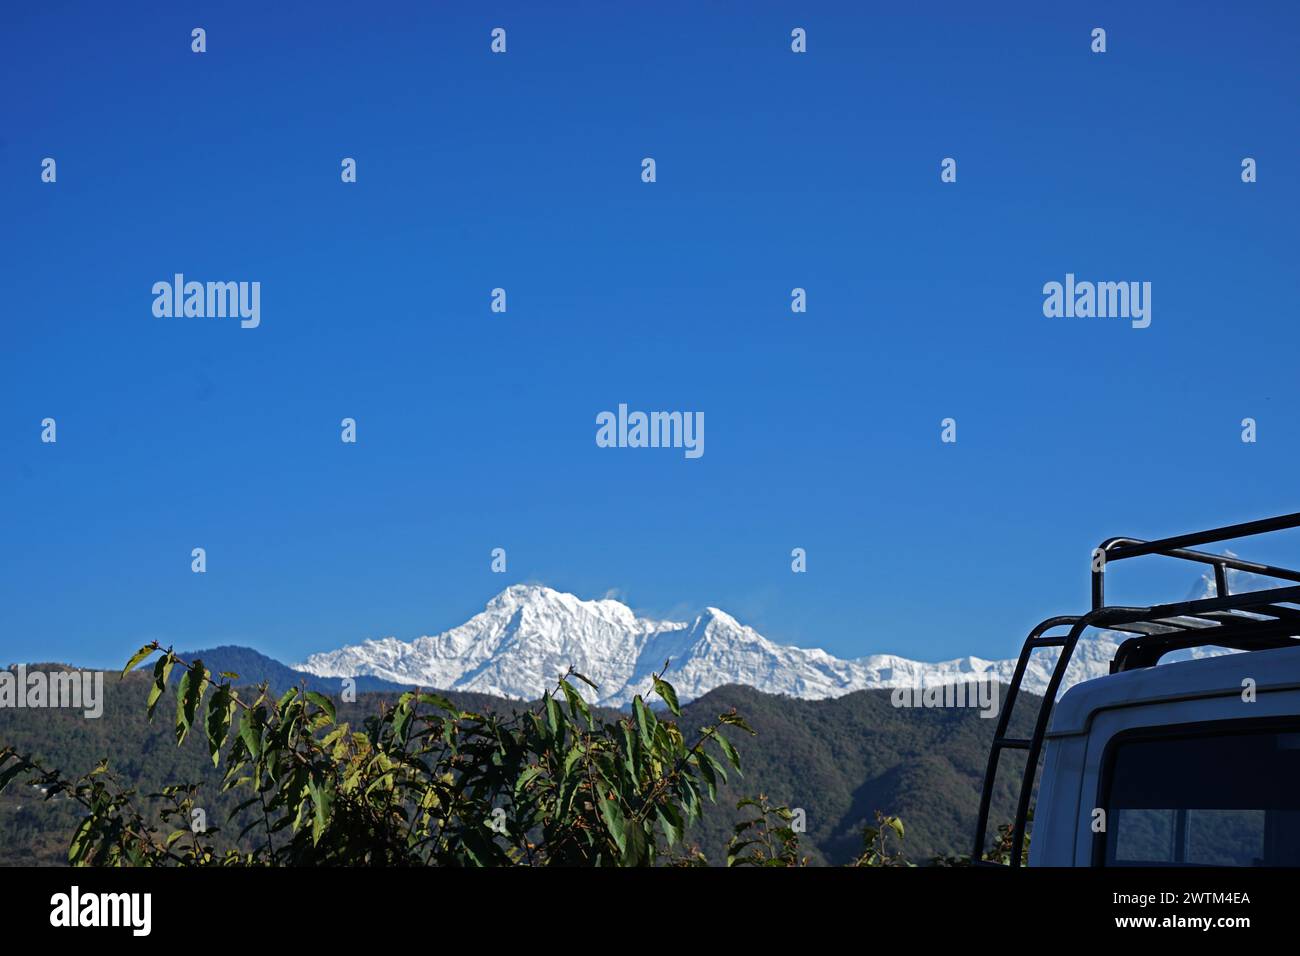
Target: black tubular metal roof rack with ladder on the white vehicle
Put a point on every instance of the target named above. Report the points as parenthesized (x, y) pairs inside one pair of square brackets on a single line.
[(1251, 621)]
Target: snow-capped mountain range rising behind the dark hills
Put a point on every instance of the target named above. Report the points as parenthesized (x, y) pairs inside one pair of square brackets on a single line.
[(530, 635)]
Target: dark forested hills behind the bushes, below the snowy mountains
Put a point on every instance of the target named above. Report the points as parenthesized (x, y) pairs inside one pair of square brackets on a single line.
[(838, 760)]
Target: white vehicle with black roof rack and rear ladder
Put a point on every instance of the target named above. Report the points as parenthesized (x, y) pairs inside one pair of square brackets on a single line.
[(1188, 764)]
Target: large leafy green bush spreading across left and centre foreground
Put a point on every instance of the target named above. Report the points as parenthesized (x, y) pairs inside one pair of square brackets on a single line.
[(422, 784)]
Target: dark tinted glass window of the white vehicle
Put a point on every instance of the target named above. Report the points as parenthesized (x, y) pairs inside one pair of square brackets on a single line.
[(1212, 799)]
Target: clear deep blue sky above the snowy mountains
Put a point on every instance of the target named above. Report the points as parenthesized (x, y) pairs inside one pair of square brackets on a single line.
[(523, 171)]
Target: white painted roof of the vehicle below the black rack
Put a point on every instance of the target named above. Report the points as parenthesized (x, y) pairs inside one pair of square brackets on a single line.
[(1207, 677)]
